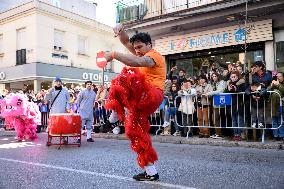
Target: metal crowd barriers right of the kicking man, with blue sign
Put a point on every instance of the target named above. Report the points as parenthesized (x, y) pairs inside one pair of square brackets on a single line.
[(226, 110)]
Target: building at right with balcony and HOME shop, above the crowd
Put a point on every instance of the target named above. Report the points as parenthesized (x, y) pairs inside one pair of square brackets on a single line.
[(197, 33)]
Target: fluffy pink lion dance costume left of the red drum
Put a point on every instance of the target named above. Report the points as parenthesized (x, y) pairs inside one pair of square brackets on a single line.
[(21, 114)]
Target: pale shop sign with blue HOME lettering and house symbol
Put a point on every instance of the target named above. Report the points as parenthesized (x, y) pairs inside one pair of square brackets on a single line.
[(232, 35)]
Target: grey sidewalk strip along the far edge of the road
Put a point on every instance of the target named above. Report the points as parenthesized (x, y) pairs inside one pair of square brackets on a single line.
[(279, 145)]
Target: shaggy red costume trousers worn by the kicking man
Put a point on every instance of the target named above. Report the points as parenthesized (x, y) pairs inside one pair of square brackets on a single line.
[(129, 90)]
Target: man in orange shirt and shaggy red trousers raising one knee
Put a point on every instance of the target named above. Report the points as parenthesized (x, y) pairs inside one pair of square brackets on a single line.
[(140, 90)]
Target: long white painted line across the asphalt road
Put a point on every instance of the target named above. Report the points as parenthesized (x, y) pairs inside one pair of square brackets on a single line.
[(95, 173)]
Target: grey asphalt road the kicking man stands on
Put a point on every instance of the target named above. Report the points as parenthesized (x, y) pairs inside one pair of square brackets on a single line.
[(109, 163)]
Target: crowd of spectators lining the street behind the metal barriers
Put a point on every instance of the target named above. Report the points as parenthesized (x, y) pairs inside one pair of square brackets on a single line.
[(189, 108)]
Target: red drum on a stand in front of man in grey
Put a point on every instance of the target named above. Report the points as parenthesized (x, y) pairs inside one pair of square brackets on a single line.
[(64, 123)]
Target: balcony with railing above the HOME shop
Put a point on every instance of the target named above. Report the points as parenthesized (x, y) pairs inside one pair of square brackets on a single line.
[(134, 10)]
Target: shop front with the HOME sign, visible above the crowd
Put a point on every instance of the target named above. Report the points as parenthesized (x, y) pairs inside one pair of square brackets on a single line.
[(196, 52)]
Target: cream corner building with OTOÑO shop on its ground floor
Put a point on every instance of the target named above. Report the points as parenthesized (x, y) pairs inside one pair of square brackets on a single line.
[(39, 41)]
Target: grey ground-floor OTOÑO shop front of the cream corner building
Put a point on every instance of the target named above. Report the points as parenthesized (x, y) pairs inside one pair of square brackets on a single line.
[(37, 76)]
